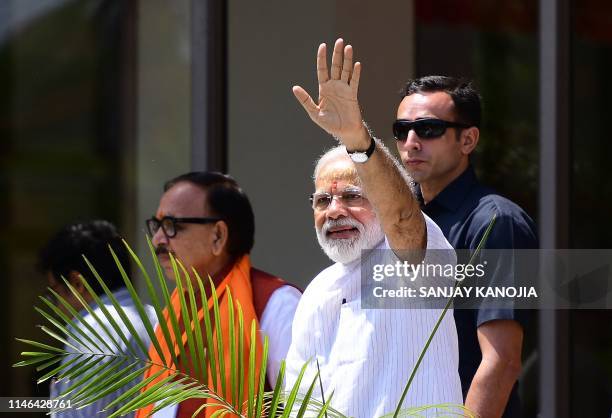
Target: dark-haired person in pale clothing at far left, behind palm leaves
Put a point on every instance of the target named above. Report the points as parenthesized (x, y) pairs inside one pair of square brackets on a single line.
[(62, 257)]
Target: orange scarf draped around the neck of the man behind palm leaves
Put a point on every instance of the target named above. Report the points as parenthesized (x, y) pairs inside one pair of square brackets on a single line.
[(238, 281)]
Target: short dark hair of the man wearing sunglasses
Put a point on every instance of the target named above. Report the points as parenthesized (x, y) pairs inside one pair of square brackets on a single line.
[(465, 97)]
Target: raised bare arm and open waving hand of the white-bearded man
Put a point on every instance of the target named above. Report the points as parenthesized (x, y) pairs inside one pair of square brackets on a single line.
[(383, 181)]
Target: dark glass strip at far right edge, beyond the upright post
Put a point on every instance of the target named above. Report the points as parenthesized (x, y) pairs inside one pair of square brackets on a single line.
[(590, 197)]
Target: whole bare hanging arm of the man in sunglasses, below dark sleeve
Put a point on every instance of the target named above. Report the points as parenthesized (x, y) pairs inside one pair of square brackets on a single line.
[(500, 342)]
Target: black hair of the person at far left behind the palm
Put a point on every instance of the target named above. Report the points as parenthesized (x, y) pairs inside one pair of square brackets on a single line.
[(65, 250)]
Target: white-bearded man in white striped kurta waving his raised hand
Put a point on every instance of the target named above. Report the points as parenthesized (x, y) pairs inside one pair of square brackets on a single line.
[(362, 201)]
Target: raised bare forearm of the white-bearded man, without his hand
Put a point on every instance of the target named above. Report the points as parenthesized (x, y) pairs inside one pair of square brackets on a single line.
[(386, 186)]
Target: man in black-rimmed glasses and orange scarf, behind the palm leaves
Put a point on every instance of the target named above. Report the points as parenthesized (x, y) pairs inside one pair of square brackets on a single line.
[(205, 221)]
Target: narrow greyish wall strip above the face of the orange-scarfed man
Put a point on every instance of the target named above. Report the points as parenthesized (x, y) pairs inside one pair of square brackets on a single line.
[(163, 134)]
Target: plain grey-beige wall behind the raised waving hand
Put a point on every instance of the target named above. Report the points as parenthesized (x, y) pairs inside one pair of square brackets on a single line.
[(272, 143)]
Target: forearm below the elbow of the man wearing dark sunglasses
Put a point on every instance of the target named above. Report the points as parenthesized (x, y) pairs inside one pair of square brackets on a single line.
[(491, 387)]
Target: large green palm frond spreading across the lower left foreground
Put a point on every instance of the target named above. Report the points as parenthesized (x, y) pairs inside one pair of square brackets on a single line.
[(103, 354)]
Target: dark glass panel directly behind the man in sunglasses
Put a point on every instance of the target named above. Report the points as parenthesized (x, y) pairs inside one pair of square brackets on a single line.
[(495, 45)]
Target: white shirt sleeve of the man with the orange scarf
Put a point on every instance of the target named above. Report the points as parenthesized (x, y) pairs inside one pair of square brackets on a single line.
[(276, 323)]
